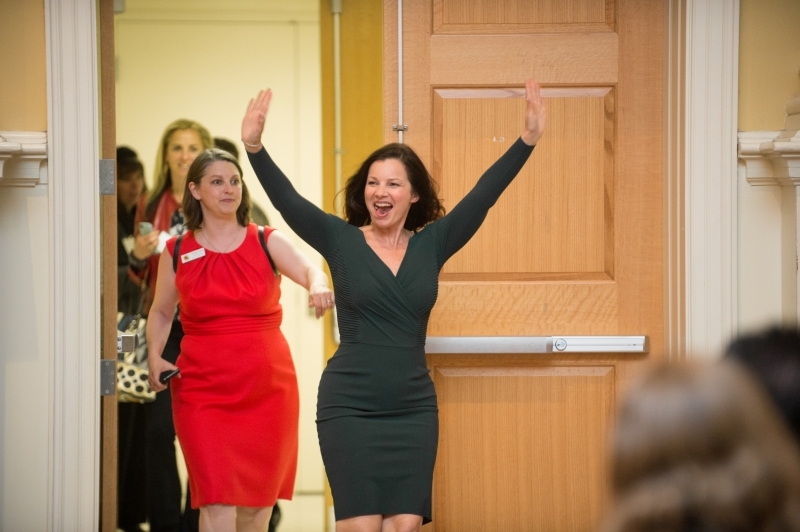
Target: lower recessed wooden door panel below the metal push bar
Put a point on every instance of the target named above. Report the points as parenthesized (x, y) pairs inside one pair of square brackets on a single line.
[(518, 442)]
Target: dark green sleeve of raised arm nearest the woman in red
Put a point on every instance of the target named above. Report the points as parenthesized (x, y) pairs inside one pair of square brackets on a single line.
[(311, 223)]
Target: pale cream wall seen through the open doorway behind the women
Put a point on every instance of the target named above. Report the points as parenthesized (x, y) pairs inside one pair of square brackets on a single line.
[(204, 61)]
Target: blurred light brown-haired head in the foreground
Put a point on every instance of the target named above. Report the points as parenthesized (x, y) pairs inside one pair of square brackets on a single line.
[(701, 449)]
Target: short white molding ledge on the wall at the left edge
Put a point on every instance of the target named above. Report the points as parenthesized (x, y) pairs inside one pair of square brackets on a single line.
[(23, 158)]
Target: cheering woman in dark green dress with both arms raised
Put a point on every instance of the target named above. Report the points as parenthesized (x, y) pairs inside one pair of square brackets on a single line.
[(377, 418)]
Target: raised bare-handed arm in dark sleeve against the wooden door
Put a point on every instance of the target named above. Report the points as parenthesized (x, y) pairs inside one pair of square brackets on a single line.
[(455, 229)]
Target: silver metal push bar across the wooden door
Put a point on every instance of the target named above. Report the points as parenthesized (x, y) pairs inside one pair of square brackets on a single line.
[(535, 344)]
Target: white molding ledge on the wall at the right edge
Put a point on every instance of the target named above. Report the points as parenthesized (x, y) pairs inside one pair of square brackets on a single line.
[(773, 157)]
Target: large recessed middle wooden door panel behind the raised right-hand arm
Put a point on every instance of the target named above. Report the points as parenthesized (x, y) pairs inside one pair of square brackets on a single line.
[(552, 217)]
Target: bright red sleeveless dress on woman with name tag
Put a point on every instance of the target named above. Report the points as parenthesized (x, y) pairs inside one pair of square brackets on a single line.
[(236, 405)]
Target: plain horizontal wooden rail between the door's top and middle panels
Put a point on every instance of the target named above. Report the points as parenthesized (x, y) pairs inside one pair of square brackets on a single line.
[(553, 58)]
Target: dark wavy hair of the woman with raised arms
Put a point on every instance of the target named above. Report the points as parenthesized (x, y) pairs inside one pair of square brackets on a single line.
[(424, 211)]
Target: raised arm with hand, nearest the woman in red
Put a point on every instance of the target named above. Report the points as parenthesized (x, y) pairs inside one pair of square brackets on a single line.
[(305, 218)]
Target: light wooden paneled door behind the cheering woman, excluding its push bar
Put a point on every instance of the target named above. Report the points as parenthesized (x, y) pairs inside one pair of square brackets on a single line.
[(573, 247)]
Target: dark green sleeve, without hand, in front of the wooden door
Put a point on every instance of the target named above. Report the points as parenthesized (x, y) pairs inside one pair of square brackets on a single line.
[(461, 223)]
